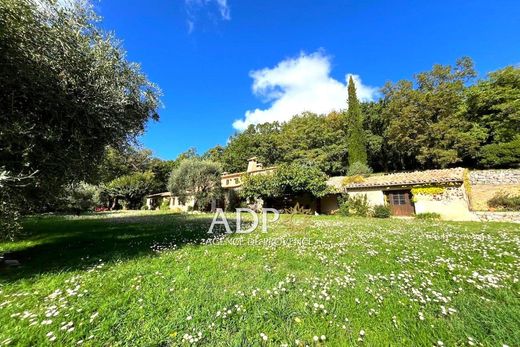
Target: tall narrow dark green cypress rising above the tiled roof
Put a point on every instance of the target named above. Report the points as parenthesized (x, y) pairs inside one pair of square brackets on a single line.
[(357, 152)]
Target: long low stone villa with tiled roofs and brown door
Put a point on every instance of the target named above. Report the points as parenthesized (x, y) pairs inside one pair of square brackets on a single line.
[(447, 192)]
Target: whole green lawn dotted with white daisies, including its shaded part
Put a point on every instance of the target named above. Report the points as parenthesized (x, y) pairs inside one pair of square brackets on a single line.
[(155, 279)]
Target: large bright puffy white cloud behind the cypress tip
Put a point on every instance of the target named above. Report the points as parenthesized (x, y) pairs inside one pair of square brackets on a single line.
[(300, 84)]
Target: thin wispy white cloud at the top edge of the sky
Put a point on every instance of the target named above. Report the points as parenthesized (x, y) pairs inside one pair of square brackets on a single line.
[(206, 8)]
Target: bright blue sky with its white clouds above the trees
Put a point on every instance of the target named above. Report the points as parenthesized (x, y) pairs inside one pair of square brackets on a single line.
[(215, 60)]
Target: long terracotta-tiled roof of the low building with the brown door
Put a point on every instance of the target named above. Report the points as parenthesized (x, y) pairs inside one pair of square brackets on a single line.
[(412, 178)]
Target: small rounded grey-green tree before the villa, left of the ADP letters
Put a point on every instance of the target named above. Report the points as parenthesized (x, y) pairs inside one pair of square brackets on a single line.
[(198, 178)]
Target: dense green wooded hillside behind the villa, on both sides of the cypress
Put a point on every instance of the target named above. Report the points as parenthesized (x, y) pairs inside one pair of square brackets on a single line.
[(442, 118)]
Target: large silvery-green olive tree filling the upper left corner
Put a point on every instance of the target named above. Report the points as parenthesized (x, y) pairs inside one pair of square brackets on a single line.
[(66, 92)]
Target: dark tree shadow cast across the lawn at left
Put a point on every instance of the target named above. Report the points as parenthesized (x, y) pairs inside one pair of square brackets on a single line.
[(68, 244)]
